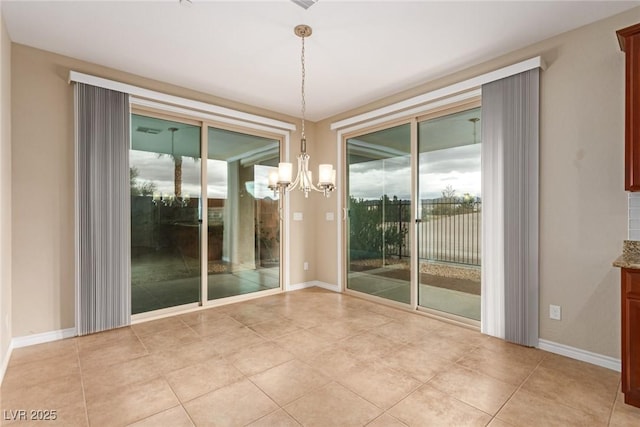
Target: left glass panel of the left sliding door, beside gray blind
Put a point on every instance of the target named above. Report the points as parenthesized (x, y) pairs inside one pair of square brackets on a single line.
[(165, 232)]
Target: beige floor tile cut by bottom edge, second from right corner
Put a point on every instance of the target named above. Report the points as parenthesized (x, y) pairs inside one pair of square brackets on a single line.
[(524, 407)]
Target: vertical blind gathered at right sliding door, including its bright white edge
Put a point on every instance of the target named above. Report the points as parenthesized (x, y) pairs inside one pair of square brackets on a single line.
[(510, 159)]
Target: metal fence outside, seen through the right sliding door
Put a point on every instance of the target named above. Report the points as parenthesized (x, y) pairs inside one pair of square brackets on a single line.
[(448, 230)]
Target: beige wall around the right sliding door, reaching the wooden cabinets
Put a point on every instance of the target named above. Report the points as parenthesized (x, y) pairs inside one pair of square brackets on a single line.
[(582, 202)]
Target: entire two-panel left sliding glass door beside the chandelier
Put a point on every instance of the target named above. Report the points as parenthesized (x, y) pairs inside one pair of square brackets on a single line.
[(200, 231)]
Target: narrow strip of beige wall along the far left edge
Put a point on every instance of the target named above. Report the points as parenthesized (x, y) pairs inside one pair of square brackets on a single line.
[(5, 192)]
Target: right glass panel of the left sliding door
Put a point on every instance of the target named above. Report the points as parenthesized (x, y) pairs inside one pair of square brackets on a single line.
[(242, 213)]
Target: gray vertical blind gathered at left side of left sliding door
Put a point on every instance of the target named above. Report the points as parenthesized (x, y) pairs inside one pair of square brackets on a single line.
[(103, 139)]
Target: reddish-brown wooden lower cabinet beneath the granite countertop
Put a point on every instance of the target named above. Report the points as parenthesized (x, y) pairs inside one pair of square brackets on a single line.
[(631, 336)]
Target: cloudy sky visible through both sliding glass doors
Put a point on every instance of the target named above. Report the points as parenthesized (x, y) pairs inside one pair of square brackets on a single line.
[(458, 167)]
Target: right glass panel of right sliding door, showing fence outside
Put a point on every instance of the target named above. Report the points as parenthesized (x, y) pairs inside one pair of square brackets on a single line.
[(449, 210)]
